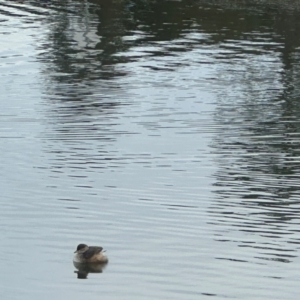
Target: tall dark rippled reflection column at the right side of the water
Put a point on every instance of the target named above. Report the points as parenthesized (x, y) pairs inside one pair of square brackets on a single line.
[(257, 181)]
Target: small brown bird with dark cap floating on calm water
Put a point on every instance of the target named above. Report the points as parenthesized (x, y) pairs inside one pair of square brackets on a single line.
[(89, 254)]
